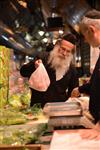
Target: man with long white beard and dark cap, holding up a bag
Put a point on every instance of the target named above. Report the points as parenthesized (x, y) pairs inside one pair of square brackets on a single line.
[(60, 69)]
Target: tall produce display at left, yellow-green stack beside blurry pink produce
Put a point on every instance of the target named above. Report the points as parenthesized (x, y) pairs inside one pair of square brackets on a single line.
[(13, 88)]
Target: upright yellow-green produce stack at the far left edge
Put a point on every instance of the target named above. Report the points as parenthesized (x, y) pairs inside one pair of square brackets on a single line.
[(4, 75)]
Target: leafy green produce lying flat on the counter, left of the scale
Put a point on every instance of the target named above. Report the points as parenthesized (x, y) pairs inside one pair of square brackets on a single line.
[(15, 128)]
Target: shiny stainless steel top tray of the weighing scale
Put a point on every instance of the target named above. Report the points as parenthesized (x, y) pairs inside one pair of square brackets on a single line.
[(62, 109)]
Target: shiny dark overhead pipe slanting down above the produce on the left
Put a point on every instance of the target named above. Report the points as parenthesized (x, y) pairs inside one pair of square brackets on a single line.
[(12, 40)]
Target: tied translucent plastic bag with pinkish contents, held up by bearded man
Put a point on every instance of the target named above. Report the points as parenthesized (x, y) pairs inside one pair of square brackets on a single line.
[(39, 80)]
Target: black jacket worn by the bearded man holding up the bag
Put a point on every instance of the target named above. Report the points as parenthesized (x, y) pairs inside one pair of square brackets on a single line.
[(57, 90)]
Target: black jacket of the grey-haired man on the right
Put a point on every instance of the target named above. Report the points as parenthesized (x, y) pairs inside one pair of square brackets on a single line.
[(93, 89)]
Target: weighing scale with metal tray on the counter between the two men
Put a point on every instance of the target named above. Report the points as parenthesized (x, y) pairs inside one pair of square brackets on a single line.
[(66, 114)]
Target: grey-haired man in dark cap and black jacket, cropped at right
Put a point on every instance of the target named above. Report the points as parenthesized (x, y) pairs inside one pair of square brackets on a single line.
[(90, 28)]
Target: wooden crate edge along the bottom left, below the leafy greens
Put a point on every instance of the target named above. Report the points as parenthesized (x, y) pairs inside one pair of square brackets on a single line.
[(22, 147)]
